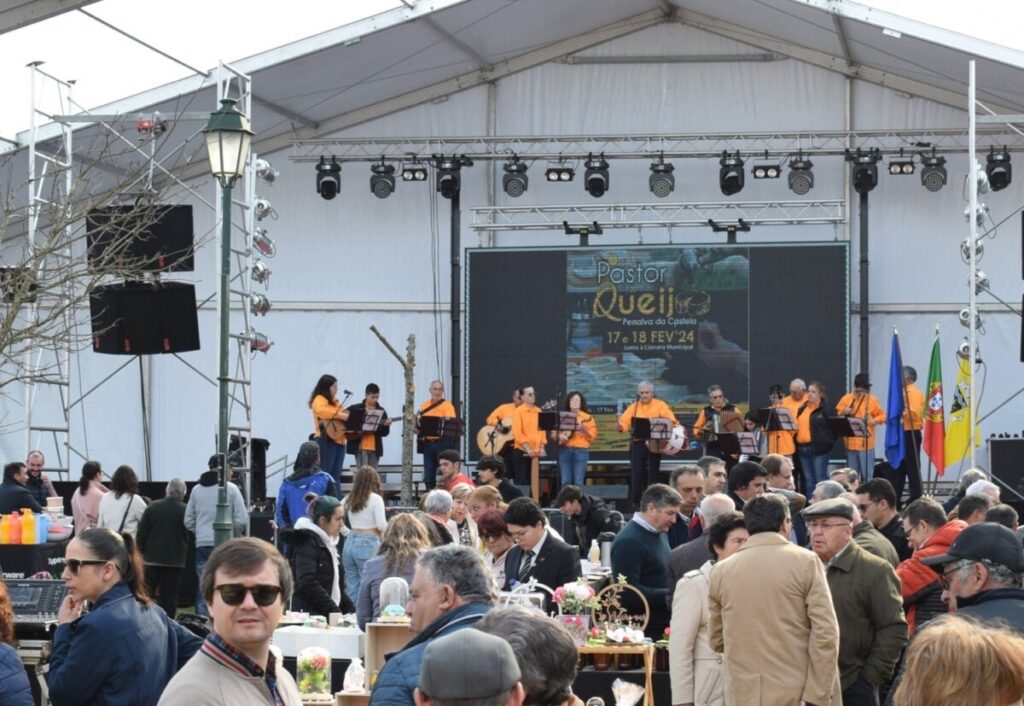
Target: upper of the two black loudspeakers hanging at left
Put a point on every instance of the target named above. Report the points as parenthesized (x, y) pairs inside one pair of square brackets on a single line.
[(154, 238)]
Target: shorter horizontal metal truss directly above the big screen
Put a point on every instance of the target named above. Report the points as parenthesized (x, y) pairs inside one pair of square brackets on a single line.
[(486, 220)]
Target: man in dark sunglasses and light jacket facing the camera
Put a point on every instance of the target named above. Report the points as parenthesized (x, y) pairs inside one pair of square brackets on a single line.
[(247, 585)]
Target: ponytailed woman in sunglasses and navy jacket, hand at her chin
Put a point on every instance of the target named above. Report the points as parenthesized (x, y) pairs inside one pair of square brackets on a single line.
[(125, 649)]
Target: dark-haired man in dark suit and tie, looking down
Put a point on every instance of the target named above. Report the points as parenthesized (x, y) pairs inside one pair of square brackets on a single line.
[(537, 555)]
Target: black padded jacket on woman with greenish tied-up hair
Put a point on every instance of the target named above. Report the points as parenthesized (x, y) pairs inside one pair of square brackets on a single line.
[(312, 567)]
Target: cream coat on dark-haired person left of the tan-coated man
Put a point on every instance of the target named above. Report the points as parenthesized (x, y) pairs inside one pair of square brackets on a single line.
[(697, 671)]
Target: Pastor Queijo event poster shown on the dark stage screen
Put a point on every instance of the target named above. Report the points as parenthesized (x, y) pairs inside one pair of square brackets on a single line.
[(678, 317)]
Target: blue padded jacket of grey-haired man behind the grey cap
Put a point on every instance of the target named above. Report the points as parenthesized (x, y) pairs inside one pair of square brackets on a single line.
[(401, 675)]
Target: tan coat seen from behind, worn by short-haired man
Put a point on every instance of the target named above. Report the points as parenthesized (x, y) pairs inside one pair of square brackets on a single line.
[(771, 612)]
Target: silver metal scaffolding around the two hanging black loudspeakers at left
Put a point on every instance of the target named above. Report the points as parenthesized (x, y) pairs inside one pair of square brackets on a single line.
[(50, 370)]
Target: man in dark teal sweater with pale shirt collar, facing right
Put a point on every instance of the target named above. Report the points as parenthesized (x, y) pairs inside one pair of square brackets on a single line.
[(641, 553)]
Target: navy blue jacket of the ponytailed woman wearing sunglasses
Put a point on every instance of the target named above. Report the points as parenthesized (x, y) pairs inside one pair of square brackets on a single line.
[(119, 653)]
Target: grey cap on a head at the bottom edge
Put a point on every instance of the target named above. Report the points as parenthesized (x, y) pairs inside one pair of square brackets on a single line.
[(444, 676)]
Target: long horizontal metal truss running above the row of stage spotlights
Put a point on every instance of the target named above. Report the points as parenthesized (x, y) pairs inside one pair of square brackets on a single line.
[(696, 146)]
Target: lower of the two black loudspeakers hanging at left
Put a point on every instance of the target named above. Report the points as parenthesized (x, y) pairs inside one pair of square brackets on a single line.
[(144, 319)]
